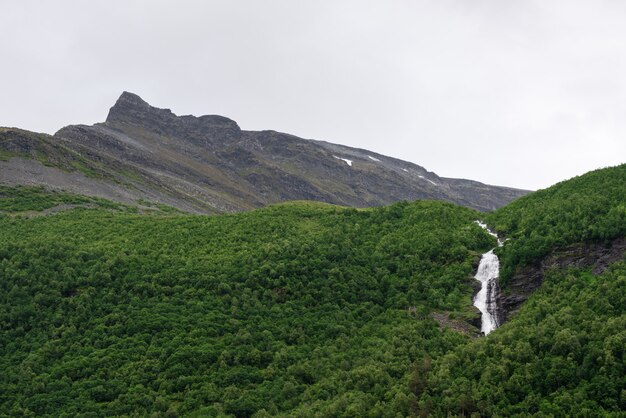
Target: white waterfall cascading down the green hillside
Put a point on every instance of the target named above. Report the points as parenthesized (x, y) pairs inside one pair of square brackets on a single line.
[(487, 275)]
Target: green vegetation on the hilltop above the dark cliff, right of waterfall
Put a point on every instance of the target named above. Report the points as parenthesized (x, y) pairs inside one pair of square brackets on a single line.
[(584, 209)]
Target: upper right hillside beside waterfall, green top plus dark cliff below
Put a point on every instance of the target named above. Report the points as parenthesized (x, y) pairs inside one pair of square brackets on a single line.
[(577, 223)]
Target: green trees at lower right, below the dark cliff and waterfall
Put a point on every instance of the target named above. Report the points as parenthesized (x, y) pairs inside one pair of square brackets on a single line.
[(562, 355)]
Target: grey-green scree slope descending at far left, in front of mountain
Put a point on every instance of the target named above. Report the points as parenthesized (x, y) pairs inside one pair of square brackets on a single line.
[(32, 159)]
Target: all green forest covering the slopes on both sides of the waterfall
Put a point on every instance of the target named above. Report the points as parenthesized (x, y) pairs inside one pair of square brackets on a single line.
[(305, 309)]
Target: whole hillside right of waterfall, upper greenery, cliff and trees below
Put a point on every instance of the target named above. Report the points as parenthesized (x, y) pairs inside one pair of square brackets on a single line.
[(562, 351)]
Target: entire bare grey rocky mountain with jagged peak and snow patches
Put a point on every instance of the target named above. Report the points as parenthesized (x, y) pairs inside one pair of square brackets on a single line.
[(145, 155)]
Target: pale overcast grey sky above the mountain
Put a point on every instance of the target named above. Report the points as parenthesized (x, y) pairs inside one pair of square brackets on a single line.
[(516, 93)]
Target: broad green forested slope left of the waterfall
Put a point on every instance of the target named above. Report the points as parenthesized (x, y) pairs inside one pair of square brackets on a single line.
[(297, 309)]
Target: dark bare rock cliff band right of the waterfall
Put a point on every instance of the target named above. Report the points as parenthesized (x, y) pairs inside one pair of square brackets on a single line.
[(527, 279)]
